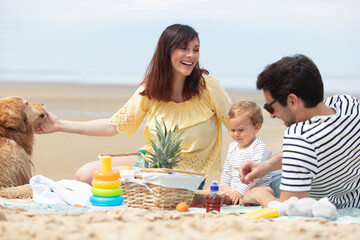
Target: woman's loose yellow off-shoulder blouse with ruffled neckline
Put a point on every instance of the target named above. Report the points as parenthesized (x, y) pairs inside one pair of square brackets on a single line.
[(199, 118)]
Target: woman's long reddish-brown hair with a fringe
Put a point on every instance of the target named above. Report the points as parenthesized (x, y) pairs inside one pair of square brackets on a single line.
[(158, 79)]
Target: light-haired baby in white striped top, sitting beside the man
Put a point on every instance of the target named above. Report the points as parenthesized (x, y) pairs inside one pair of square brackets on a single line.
[(245, 120)]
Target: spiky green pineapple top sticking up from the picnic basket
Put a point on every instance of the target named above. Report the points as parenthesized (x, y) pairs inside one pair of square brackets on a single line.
[(166, 148)]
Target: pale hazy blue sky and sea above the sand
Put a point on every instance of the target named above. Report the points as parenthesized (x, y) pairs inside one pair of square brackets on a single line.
[(112, 41)]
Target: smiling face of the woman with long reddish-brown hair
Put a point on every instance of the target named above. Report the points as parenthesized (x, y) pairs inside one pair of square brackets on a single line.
[(185, 57)]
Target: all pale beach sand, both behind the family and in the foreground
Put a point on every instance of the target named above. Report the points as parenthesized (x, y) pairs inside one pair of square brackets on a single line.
[(58, 156)]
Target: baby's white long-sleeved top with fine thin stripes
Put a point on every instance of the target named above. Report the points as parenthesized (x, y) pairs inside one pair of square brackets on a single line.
[(256, 152)]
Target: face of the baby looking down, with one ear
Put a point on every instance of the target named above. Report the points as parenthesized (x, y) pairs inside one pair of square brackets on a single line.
[(243, 130)]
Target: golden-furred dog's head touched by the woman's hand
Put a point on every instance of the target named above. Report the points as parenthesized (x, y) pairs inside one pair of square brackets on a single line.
[(18, 114)]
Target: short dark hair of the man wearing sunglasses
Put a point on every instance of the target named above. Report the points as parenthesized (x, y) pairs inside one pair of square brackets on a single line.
[(298, 75)]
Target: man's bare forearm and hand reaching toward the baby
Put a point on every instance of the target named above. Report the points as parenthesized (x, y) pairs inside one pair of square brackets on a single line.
[(249, 170)]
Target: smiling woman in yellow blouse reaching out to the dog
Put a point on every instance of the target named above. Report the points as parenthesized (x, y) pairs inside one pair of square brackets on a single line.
[(176, 90)]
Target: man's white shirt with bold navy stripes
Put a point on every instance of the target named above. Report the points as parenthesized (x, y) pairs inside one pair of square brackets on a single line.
[(322, 155)]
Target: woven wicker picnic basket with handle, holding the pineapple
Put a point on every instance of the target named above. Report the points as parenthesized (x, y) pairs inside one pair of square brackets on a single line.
[(139, 196)]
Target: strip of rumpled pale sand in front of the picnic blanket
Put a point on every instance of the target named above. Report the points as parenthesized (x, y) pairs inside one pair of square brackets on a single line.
[(138, 224)]
